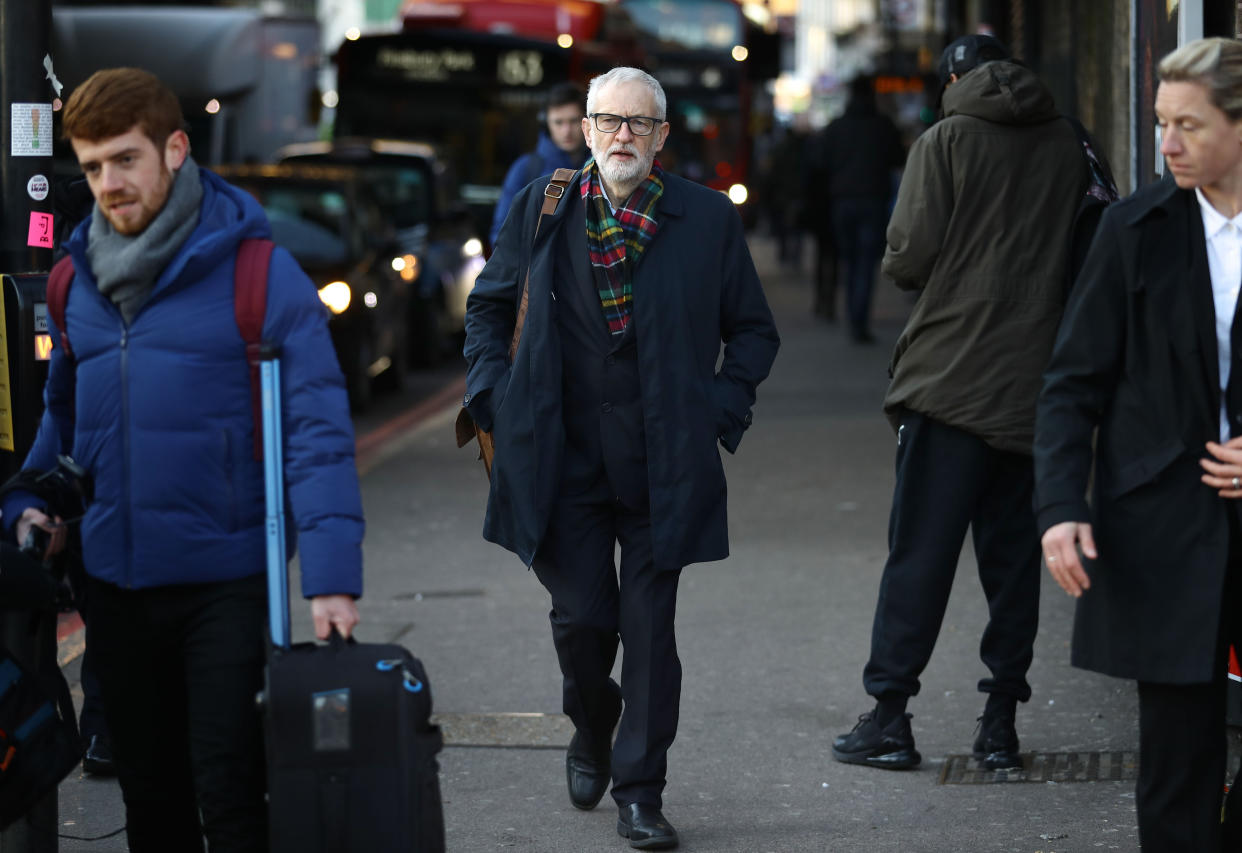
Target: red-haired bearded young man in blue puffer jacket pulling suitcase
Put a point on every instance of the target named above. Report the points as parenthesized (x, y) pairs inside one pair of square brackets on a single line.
[(155, 403)]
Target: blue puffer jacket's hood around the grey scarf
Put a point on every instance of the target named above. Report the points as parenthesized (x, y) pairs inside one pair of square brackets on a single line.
[(227, 217)]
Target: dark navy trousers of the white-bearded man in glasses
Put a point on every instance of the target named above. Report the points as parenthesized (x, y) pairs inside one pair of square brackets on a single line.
[(594, 607)]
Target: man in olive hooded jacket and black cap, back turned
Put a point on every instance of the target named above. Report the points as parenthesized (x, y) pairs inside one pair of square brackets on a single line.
[(982, 228)]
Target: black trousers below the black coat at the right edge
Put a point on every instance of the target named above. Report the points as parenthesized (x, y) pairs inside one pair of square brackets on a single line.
[(1183, 748)]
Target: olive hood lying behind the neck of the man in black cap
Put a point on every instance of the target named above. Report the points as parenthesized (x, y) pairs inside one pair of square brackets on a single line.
[(1002, 93)]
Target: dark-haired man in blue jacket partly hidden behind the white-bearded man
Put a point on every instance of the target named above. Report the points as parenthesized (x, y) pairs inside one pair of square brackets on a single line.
[(560, 147)]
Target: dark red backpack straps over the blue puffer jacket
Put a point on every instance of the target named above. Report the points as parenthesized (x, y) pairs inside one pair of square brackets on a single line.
[(250, 307)]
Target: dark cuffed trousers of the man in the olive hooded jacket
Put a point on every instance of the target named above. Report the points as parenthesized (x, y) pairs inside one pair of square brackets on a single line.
[(950, 481)]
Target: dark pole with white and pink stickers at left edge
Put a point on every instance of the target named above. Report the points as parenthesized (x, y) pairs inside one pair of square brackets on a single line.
[(25, 246)]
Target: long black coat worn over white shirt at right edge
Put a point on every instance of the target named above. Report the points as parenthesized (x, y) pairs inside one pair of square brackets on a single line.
[(1137, 357)]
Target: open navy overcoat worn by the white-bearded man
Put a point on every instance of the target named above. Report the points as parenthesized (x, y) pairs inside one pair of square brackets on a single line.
[(695, 289)]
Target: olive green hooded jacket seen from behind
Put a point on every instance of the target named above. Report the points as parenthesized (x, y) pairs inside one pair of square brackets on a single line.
[(982, 228)]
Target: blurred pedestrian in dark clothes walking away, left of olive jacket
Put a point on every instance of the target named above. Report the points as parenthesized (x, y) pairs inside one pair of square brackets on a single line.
[(859, 152)]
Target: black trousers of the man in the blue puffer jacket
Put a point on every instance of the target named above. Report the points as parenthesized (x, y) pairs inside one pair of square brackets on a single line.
[(181, 667)]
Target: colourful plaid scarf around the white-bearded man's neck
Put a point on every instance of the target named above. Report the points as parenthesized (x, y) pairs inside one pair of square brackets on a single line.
[(617, 243)]
